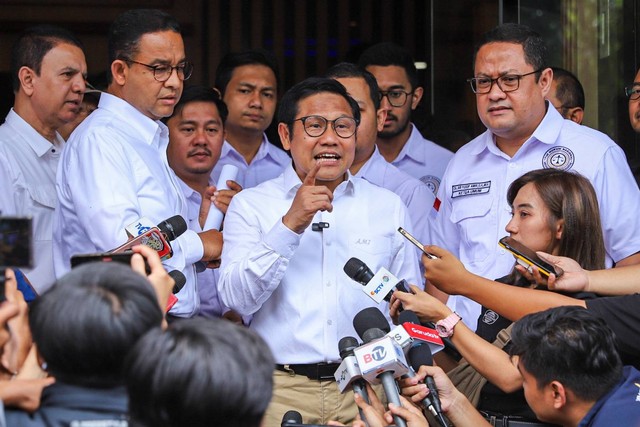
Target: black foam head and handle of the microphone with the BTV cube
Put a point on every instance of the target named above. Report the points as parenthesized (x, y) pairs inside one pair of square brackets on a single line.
[(370, 324)]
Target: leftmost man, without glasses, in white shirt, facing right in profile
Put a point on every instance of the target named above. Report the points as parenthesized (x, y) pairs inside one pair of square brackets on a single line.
[(48, 71)]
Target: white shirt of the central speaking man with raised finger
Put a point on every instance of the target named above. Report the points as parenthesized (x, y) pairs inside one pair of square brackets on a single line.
[(302, 301)]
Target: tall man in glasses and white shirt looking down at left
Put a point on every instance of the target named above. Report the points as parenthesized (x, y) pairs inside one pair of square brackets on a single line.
[(114, 169)]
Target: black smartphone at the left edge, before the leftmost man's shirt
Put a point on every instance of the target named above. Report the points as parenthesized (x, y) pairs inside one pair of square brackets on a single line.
[(16, 249)]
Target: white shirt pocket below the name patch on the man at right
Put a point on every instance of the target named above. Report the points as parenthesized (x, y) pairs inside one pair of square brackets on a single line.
[(477, 228)]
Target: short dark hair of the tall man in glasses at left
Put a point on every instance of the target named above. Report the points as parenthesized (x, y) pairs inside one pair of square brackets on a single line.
[(129, 27)]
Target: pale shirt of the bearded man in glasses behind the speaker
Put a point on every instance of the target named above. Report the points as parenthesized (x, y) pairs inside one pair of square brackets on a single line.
[(423, 159)]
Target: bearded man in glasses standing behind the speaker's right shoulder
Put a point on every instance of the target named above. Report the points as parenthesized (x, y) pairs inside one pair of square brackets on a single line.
[(400, 142)]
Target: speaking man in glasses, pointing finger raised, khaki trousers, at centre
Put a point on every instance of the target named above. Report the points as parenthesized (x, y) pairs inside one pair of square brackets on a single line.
[(287, 240)]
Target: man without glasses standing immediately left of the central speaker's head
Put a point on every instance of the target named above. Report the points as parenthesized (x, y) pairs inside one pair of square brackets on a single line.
[(248, 84)]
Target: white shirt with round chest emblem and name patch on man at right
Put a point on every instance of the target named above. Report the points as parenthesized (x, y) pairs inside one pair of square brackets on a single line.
[(474, 210)]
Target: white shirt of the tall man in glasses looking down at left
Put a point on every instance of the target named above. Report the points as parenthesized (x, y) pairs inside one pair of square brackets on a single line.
[(113, 171)]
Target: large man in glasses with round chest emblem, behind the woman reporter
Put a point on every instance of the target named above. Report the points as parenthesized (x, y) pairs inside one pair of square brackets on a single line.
[(511, 81)]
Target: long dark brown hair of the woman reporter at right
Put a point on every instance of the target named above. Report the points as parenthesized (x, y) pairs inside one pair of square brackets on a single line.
[(569, 196)]
